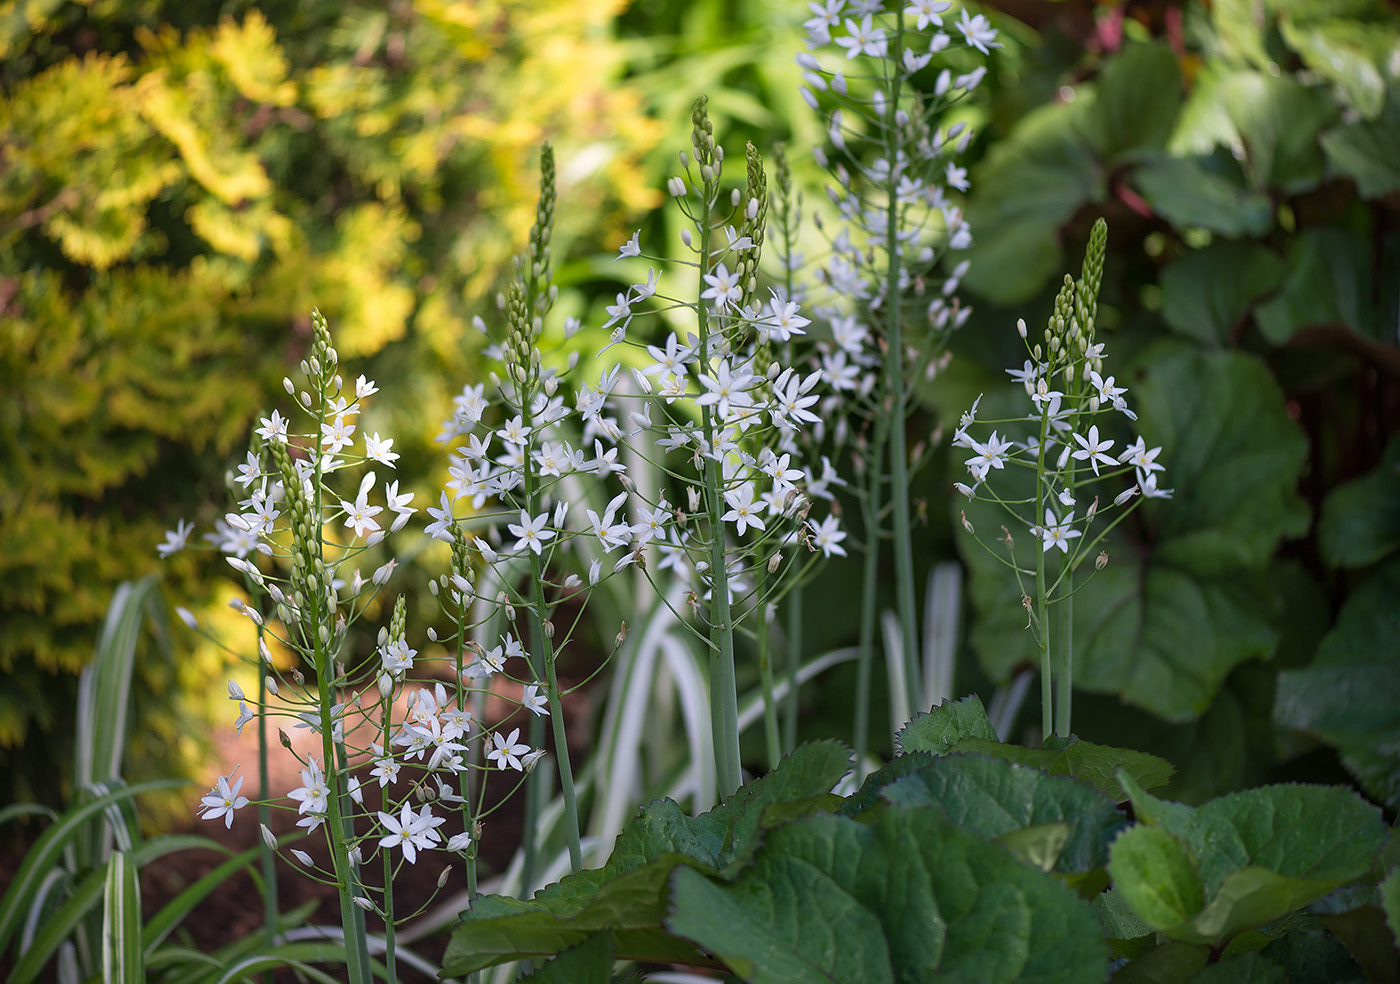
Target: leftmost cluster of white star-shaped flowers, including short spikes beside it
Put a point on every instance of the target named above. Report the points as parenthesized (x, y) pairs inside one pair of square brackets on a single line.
[(299, 542)]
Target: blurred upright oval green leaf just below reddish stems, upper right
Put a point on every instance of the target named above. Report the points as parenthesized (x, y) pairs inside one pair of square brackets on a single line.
[(1140, 94)]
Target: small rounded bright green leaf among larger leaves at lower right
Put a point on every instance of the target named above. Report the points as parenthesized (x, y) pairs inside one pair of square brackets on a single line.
[(1156, 874)]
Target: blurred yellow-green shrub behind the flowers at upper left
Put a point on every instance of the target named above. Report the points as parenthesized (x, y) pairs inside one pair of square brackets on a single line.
[(173, 202)]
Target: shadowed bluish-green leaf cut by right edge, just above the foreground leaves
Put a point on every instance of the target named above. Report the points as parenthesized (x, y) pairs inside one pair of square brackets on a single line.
[(1350, 696)]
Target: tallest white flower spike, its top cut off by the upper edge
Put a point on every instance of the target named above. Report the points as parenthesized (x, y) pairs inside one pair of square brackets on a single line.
[(894, 171)]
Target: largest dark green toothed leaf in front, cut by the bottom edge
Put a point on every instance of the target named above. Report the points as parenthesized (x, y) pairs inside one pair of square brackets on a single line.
[(902, 897)]
